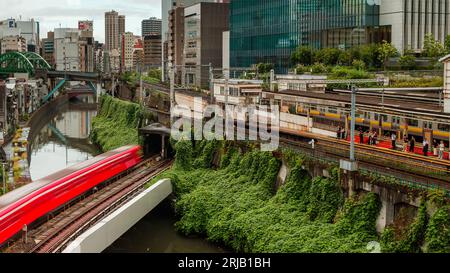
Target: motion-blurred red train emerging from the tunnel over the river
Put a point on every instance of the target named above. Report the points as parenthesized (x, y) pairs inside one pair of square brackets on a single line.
[(29, 203)]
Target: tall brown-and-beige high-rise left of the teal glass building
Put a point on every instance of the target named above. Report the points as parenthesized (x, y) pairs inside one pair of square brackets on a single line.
[(204, 24)]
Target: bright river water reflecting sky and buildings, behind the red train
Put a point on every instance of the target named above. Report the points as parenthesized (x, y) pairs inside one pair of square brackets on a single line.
[(63, 142)]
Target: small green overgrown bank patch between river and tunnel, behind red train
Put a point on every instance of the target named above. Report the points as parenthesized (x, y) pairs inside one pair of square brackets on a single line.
[(116, 123)]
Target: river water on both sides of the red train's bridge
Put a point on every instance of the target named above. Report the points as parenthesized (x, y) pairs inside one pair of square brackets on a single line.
[(64, 142)]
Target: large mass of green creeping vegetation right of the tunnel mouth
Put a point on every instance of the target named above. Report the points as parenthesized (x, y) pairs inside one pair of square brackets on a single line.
[(237, 204)]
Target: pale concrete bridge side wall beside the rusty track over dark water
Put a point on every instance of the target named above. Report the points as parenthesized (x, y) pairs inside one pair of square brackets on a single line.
[(106, 232)]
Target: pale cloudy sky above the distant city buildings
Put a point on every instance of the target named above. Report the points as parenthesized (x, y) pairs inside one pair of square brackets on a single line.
[(53, 13)]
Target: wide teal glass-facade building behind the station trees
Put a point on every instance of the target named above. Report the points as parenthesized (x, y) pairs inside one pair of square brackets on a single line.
[(270, 30)]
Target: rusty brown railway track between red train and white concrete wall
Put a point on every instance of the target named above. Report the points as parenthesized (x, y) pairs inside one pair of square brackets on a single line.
[(54, 235)]
